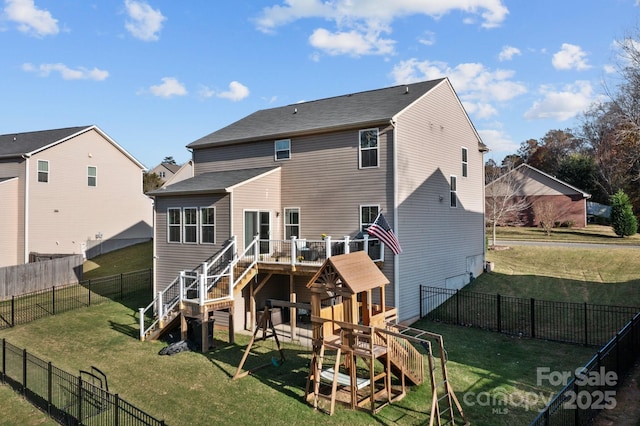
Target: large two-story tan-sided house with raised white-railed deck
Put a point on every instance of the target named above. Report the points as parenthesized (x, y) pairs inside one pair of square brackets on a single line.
[(328, 167)]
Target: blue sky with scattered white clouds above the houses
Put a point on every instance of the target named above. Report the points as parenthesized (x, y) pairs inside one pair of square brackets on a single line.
[(156, 75)]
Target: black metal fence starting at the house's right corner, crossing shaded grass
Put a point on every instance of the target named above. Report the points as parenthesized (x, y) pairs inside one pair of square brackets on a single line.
[(582, 323)]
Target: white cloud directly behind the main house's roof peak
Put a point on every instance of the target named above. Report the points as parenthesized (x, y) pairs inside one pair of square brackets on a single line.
[(478, 87)]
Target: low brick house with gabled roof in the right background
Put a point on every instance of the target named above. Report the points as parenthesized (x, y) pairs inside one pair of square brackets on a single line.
[(538, 187)]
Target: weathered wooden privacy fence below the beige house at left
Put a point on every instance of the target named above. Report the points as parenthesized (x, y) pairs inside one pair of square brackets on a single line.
[(21, 279)]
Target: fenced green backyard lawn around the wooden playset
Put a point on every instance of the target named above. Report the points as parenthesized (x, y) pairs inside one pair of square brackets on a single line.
[(197, 389)]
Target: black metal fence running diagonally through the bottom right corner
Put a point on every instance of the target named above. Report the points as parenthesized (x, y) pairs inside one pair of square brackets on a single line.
[(594, 389)]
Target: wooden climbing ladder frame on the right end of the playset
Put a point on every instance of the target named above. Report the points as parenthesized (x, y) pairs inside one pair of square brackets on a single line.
[(443, 401)]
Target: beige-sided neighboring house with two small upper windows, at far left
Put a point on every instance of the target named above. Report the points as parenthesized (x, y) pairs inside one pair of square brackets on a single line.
[(69, 191)]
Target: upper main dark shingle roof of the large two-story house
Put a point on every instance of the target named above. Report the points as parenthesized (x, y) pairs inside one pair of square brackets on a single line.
[(355, 109)]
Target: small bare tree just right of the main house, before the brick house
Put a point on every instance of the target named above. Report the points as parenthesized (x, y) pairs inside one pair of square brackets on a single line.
[(504, 199)]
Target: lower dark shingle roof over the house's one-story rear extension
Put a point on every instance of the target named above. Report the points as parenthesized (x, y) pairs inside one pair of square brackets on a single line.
[(212, 182)]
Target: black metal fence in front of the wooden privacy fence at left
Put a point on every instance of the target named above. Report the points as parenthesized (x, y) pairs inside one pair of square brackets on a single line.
[(55, 300)]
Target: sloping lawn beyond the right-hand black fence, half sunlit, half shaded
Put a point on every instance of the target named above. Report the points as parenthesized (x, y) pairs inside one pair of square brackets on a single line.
[(599, 276)]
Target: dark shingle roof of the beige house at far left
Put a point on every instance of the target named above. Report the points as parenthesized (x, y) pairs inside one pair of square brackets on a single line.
[(17, 144)]
